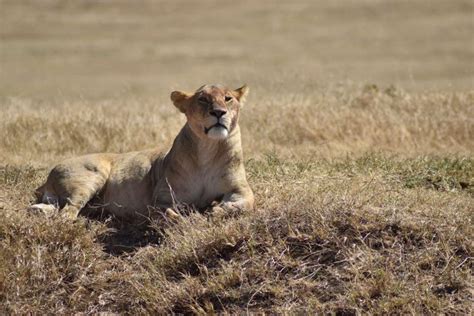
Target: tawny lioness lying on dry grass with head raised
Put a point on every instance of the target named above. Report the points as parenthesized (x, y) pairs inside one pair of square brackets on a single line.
[(204, 166)]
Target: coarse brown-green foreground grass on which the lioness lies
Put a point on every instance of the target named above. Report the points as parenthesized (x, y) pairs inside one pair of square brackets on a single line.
[(375, 234)]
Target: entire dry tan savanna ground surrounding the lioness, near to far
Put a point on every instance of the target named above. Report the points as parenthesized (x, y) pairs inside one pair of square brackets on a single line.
[(358, 137)]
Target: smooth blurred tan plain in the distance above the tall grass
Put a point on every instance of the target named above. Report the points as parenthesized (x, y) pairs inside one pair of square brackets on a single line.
[(102, 48)]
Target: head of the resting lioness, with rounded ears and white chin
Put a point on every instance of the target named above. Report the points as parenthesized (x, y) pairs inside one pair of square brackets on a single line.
[(212, 111)]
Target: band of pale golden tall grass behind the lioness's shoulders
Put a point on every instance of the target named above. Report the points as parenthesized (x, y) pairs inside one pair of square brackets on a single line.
[(318, 123)]
